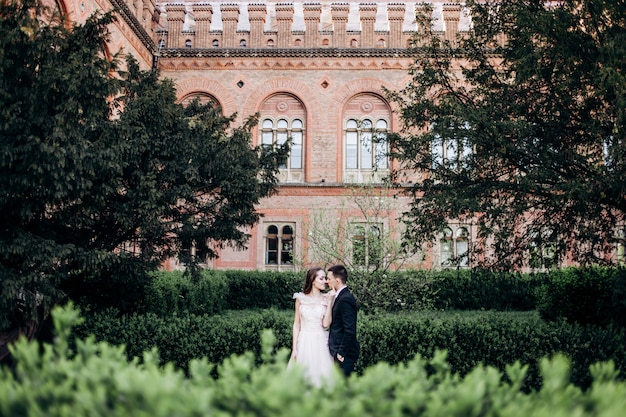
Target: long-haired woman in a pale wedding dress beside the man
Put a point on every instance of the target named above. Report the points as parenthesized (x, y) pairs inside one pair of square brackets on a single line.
[(313, 316)]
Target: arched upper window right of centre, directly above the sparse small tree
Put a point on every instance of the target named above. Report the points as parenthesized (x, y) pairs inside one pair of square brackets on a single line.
[(366, 125)]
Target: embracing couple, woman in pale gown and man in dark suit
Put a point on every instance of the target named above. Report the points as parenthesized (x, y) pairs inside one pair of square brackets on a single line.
[(324, 326)]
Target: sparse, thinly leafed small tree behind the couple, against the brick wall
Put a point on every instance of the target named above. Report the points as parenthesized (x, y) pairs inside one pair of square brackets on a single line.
[(363, 234)]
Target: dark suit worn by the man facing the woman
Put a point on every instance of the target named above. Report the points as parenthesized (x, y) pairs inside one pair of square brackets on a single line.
[(342, 337)]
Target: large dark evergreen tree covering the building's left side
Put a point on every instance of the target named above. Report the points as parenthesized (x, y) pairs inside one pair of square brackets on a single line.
[(94, 159)]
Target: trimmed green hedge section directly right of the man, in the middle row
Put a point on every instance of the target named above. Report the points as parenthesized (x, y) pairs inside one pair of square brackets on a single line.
[(490, 338)]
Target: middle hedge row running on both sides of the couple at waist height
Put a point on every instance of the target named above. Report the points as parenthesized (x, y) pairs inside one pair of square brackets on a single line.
[(489, 338)]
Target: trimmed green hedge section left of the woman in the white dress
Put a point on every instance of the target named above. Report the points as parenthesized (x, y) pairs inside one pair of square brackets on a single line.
[(181, 338)]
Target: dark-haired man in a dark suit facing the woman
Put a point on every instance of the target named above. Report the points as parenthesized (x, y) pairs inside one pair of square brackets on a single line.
[(344, 347)]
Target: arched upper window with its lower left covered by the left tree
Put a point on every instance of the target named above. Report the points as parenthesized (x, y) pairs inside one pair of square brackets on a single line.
[(283, 119)]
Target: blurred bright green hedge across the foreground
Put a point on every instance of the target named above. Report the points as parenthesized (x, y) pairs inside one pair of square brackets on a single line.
[(96, 380)]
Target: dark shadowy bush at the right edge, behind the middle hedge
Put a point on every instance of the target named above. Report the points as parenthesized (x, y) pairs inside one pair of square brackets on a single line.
[(584, 295)]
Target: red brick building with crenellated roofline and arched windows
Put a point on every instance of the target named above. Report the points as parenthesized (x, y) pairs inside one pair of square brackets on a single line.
[(315, 71)]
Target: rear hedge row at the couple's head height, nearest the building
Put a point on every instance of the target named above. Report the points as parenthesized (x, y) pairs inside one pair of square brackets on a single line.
[(216, 291)]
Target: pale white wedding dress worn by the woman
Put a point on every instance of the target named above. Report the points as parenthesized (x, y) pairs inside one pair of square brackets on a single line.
[(312, 343)]
